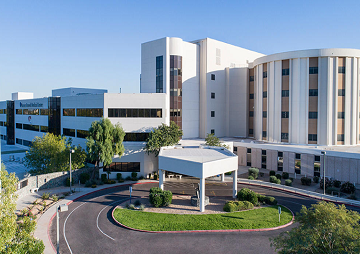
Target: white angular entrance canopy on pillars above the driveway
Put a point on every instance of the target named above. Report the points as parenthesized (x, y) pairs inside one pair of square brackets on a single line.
[(200, 162)]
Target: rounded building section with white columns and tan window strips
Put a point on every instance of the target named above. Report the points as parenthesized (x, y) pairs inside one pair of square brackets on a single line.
[(306, 97)]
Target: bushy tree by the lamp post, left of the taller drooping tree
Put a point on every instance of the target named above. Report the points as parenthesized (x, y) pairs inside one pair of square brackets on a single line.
[(50, 153)]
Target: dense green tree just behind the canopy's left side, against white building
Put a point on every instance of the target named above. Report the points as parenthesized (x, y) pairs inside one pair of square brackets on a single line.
[(163, 136)]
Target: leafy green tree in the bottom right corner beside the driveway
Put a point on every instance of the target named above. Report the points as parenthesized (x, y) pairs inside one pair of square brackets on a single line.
[(324, 228)]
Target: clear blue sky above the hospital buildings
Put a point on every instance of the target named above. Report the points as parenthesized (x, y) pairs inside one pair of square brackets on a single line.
[(54, 44)]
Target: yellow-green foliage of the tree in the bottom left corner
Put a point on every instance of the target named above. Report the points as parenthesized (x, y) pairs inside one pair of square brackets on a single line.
[(14, 237)]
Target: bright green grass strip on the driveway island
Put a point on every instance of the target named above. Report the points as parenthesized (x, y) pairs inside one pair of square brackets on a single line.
[(258, 218)]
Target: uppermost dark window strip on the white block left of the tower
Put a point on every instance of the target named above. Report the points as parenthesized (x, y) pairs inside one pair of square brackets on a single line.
[(134, 112)]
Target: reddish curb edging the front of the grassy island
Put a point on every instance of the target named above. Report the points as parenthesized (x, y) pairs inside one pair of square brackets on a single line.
[(206, 231)]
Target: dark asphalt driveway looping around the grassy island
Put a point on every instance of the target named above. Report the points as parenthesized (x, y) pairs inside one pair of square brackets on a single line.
[(89, 227)]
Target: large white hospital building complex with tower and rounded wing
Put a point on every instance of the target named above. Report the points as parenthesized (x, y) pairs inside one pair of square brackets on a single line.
[(280, 111)]
